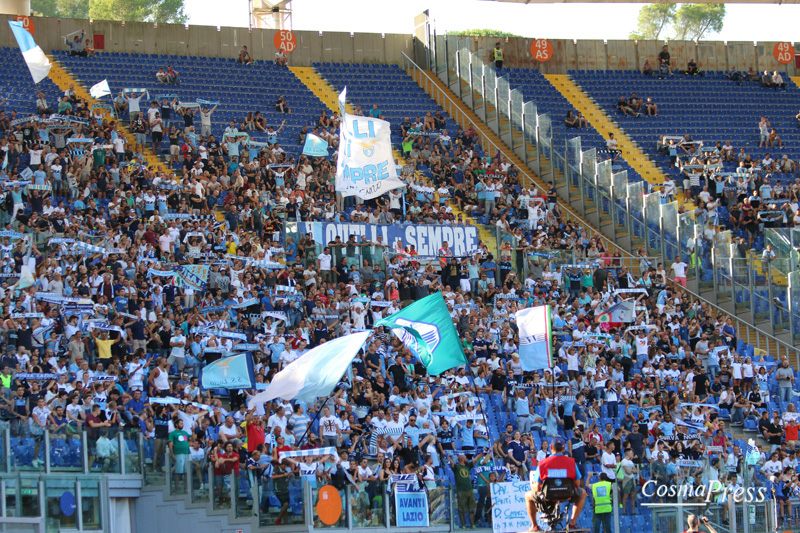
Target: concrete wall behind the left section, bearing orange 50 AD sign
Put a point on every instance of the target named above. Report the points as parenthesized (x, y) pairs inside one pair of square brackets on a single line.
[(223, 42)]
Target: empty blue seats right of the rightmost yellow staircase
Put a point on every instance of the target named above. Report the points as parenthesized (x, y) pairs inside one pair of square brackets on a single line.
[(684, 103)]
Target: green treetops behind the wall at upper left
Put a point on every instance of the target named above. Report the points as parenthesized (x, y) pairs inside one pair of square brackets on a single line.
[(127, 10)]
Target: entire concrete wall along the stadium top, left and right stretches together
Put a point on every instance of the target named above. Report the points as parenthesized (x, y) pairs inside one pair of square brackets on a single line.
[(376, 48)]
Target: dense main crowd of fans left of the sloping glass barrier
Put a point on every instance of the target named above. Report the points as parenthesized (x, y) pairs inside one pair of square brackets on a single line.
[(98, 340)]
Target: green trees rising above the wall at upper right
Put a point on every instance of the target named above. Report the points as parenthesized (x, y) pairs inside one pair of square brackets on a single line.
[(687, 21)]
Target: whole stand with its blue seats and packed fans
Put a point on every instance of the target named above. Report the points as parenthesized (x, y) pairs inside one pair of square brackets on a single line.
[(128, 372)]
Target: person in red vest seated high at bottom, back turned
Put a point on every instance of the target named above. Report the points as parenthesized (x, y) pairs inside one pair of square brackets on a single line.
[(548, 487)]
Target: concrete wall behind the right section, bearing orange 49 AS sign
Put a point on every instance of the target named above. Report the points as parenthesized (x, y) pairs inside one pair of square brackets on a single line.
[(630, 55)]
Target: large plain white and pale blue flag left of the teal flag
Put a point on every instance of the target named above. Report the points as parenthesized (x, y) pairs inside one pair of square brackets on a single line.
[(314, 374)]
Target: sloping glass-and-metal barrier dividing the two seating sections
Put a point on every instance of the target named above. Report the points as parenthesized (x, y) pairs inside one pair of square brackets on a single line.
[(629, 214)]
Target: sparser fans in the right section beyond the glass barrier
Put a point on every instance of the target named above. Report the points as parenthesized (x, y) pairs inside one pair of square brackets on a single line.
[(730, 187)]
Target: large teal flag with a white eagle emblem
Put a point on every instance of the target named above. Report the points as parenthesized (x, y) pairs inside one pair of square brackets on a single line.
[(426, 328)]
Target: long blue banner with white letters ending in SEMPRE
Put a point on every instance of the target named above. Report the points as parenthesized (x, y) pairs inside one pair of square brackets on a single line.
[(426, 239)]
